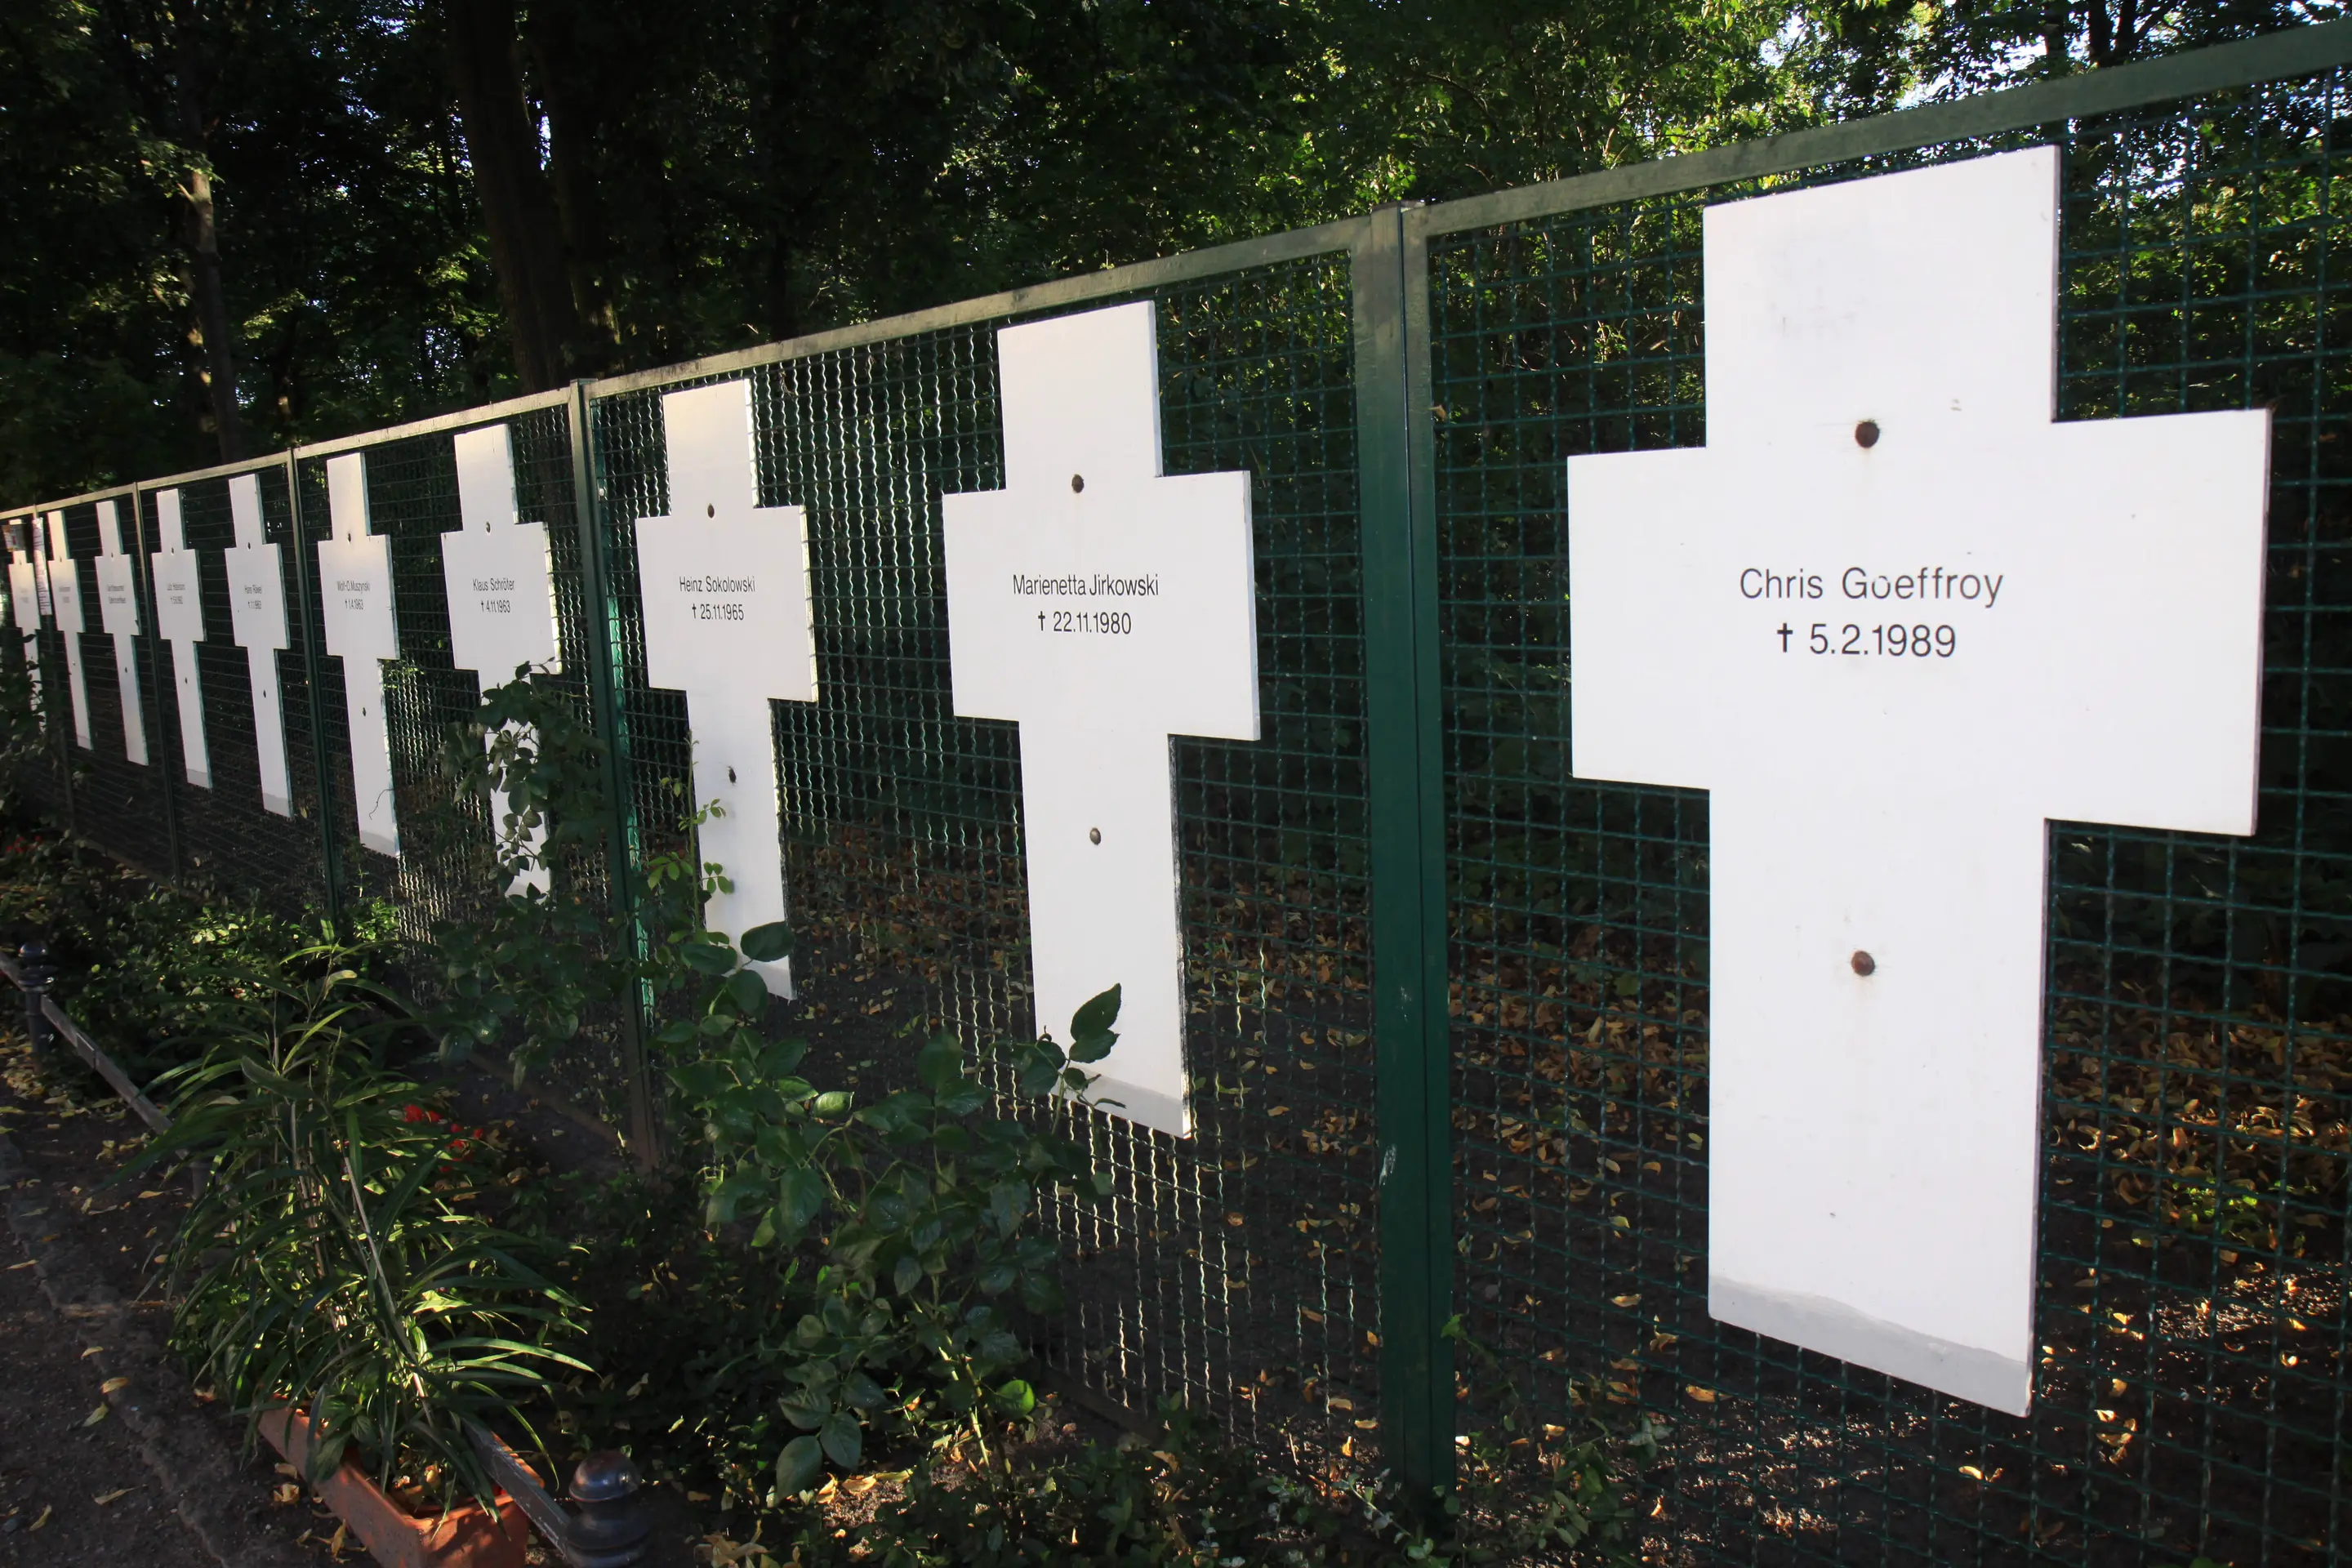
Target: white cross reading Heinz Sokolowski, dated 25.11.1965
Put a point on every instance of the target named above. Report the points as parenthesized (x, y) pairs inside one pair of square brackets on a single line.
[(728, 622)]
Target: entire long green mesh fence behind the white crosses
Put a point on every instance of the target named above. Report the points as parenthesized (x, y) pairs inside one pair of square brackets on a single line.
[(1448, 1005)]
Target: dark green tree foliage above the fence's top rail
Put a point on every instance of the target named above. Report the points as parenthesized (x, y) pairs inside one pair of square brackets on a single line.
[(248, 222)]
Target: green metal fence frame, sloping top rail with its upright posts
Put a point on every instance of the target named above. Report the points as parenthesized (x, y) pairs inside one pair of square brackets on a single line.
[(1389, 262)]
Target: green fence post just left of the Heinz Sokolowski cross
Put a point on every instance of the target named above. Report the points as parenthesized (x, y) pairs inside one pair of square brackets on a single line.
[(606, 702)]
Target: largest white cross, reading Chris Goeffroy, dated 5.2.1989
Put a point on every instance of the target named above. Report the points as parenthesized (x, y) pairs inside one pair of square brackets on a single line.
[(1897, 619)]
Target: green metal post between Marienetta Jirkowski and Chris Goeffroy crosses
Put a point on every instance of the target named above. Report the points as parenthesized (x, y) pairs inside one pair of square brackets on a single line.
[(1408, 857)]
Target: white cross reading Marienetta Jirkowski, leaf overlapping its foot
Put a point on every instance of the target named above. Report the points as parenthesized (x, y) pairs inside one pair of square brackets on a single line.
[(1104, 608)]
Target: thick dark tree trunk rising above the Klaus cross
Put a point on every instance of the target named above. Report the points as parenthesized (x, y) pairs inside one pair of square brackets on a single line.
[(502, 145)]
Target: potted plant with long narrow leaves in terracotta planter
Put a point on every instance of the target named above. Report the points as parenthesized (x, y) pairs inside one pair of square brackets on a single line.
[(340, 1280)]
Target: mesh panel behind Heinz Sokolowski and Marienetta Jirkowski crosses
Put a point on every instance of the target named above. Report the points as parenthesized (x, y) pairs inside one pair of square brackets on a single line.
[(1236, 1266)]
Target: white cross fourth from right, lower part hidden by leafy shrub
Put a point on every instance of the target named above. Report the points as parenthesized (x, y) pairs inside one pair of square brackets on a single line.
[(502, 596)]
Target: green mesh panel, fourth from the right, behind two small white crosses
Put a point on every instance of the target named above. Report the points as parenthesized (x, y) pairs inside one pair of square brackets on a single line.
[(225, 833)]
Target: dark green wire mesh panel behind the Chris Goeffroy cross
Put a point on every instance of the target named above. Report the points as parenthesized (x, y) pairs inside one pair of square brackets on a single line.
[(2198, 1097)]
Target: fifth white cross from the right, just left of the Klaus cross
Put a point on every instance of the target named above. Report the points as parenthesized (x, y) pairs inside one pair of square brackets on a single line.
[(356, 603)]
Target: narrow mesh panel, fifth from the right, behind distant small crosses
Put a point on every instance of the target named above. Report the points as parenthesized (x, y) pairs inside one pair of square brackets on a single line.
[(116, 800)]
